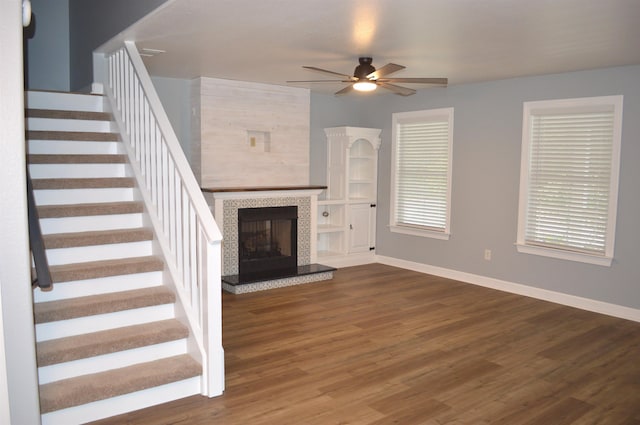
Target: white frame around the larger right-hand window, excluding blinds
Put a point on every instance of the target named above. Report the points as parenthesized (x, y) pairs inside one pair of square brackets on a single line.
[(567, 106)]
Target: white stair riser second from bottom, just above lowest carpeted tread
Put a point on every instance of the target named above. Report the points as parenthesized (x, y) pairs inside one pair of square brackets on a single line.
[(111, 361)]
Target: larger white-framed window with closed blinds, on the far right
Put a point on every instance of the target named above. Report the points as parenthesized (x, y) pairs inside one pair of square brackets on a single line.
[(569, 178)]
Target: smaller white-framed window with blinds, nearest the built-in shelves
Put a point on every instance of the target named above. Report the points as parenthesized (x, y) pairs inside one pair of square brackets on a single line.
[(421, 173)]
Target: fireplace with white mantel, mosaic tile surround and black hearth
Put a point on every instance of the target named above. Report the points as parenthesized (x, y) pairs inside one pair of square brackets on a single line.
[(290, 220)]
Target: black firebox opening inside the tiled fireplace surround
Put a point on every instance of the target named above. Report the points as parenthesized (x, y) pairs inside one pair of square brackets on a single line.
[(267, 242)]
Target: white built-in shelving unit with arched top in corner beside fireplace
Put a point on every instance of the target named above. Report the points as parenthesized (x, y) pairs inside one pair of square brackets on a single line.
[(346, 209)]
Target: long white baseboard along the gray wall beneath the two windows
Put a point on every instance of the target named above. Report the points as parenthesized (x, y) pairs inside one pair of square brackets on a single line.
[(595, 306)]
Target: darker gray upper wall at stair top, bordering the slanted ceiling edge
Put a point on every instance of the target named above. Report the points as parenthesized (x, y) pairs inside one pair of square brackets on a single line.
[(92, 23)]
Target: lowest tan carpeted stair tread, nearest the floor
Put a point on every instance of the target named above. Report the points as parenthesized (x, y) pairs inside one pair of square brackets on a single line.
[(85, 389)]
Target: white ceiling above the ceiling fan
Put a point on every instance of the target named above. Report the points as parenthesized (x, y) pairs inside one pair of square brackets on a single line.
[(465, 40)]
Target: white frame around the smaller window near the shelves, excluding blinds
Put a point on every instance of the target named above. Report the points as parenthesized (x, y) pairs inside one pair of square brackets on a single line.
[(429, 115)]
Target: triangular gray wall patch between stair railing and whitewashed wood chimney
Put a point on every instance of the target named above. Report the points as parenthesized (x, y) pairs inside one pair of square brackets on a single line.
[(175, 95)]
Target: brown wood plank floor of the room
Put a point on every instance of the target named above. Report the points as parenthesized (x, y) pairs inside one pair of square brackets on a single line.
[(382, 345)]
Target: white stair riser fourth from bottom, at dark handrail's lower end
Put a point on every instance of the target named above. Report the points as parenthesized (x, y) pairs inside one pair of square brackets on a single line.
[(103, 285)]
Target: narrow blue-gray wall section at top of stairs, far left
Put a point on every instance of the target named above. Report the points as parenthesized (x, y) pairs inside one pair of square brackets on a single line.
[(47, 51)]
